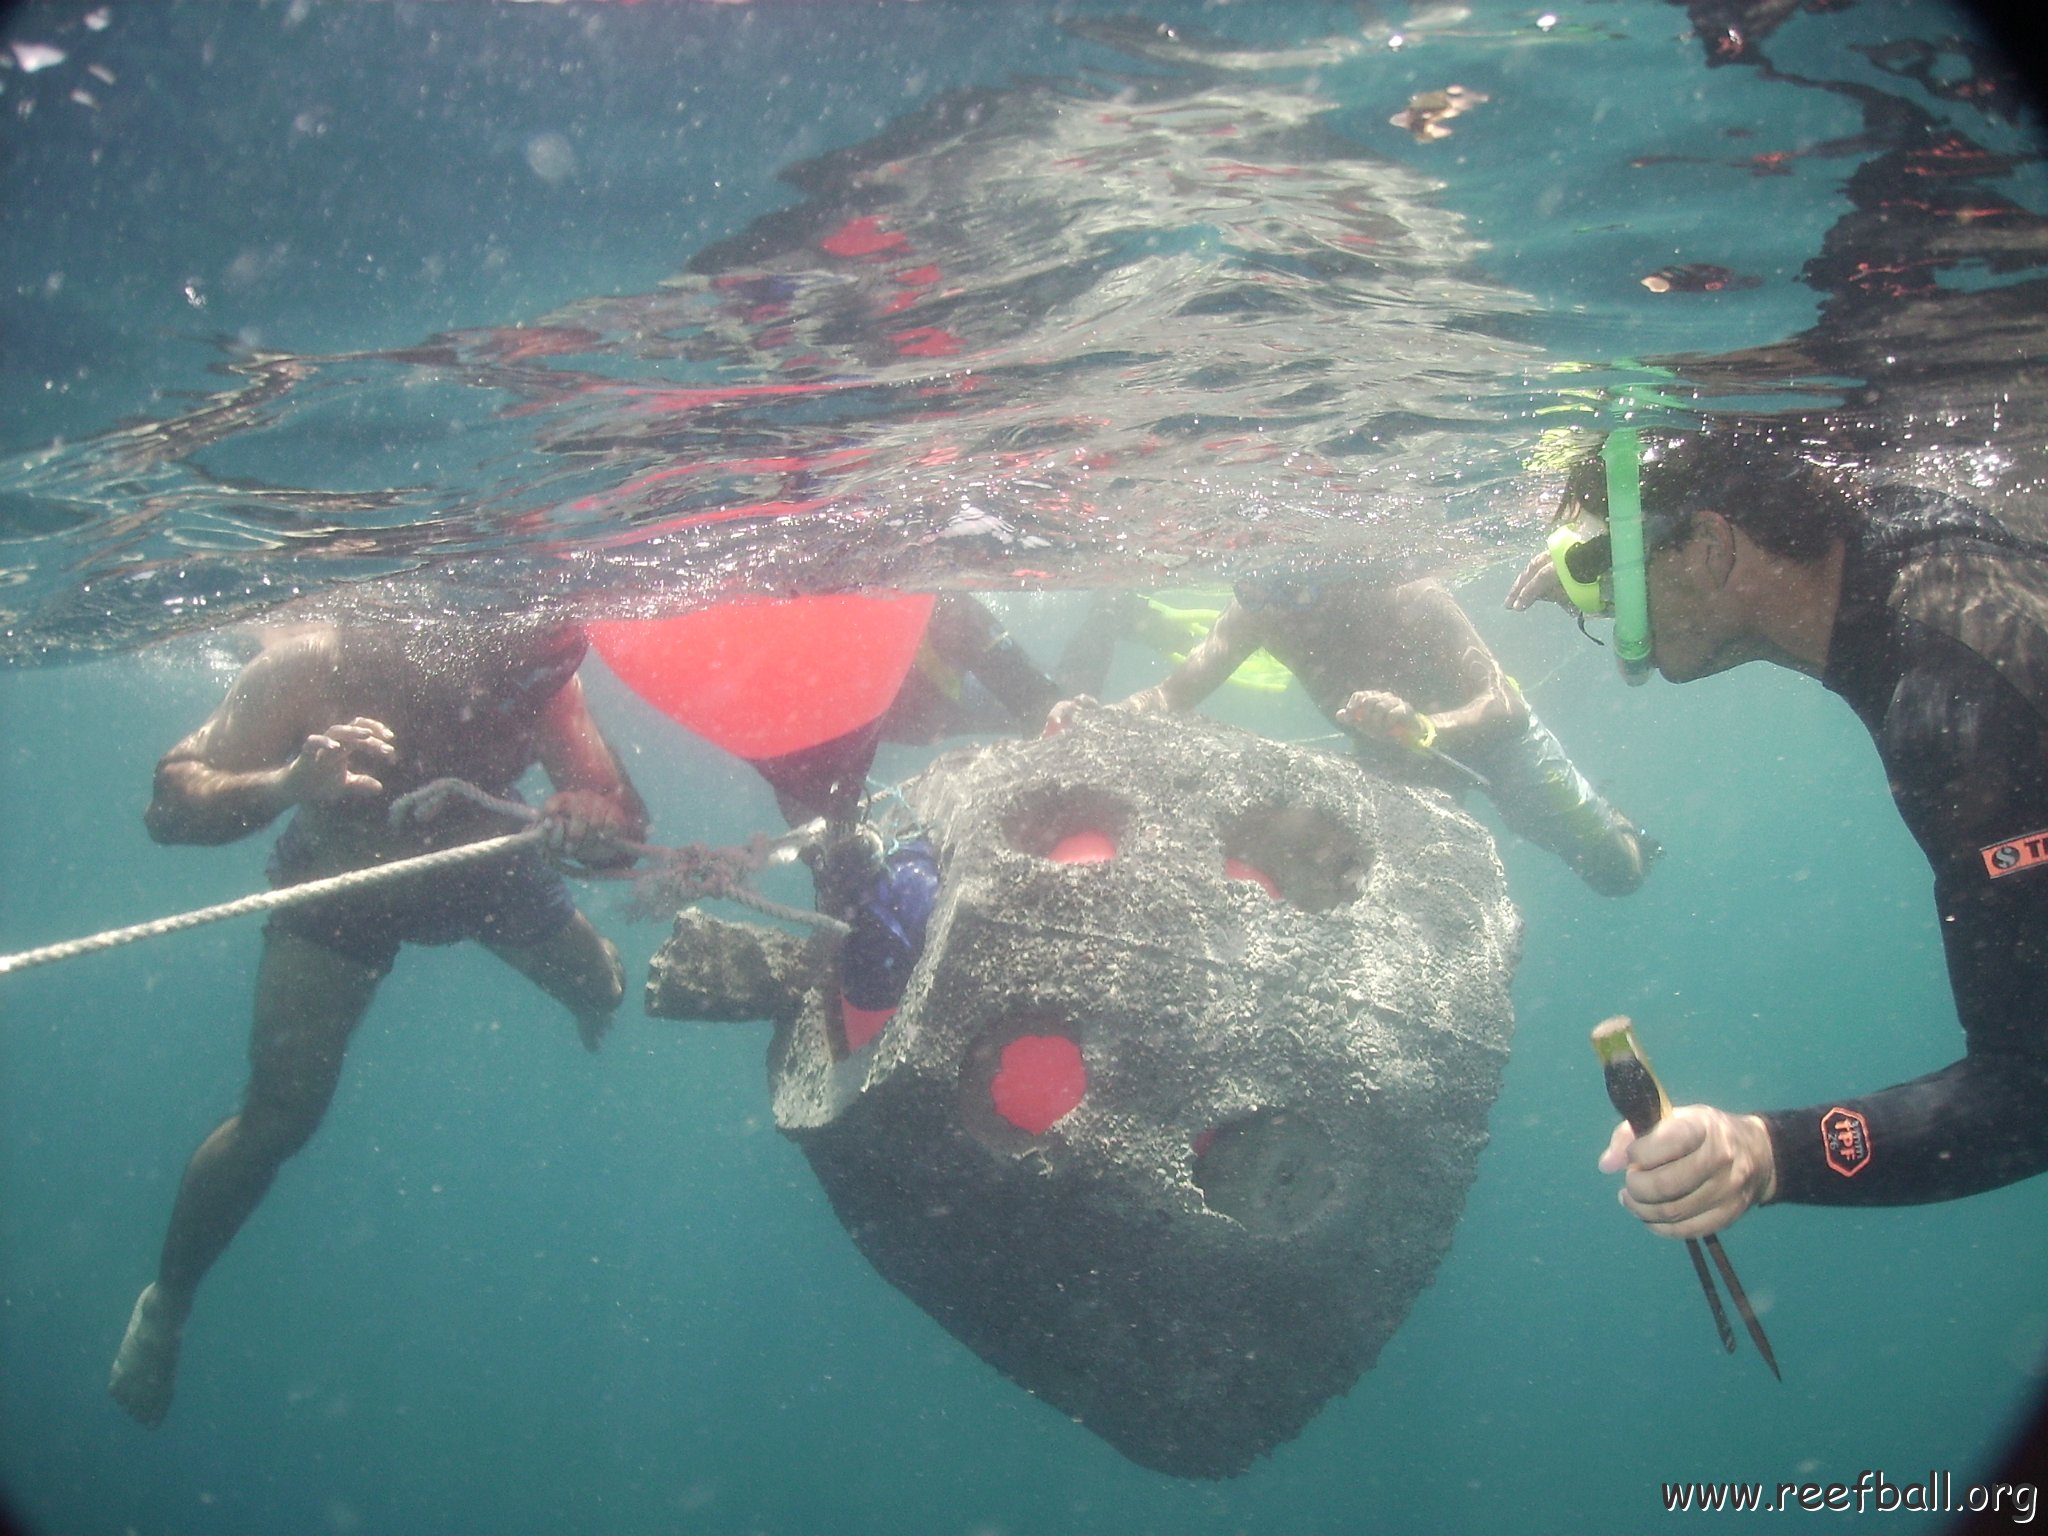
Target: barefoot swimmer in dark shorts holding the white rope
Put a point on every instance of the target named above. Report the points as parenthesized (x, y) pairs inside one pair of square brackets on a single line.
[(335, 724)]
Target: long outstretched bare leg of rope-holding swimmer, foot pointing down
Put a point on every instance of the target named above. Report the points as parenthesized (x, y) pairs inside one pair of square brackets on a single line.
[(308, 1005)]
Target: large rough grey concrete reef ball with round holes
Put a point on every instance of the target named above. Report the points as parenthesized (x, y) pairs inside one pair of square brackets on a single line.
[(1285, 1095)]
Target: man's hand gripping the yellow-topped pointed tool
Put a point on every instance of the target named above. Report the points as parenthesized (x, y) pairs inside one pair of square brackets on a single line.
[(1695, 1172)]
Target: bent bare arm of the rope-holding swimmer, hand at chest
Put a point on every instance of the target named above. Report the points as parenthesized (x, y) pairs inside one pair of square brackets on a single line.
[(267, 749)]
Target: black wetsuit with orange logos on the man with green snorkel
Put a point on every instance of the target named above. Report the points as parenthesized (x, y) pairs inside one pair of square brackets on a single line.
[(1943, 650)]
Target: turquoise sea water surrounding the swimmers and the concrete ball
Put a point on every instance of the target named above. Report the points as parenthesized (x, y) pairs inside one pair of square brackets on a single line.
[(517, 1289)]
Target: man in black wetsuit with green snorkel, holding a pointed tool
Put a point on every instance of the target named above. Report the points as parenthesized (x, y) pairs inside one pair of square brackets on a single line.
[(1932, 622)]
